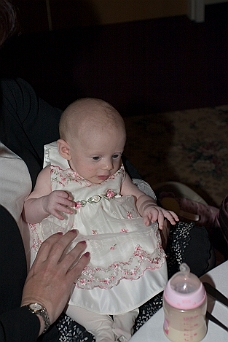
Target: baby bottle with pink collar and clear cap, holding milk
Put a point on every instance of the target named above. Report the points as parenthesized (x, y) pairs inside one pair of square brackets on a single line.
[(185, 305)]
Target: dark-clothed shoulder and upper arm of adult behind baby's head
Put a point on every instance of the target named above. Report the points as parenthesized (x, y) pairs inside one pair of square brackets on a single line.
[(27, 122)]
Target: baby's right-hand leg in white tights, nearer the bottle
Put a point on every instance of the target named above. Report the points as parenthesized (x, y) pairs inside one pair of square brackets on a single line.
[(123, 325)]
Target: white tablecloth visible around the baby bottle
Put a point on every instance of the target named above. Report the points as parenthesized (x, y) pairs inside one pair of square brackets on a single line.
[(152, 331)]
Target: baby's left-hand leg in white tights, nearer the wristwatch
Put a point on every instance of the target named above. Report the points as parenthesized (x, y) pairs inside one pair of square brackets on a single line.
[(98, 325)]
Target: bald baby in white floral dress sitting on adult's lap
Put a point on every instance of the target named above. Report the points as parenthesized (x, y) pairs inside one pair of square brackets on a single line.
[(85, 186)]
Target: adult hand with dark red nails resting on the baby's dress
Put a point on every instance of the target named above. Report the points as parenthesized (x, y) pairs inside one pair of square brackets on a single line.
[(50, 281)]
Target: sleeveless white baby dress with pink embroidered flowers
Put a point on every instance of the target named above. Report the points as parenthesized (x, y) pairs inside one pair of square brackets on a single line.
[(127, 265)]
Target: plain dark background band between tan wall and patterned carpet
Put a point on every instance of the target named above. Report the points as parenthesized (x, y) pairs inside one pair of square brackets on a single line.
[(139, 67)]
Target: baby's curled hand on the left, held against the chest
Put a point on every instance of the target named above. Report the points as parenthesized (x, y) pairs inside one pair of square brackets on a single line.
[(58, 202)]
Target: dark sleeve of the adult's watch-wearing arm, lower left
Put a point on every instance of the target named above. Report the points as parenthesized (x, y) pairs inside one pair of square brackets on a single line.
[(17, 324)]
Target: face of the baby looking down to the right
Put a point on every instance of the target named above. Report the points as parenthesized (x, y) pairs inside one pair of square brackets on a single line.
[(96, 157)]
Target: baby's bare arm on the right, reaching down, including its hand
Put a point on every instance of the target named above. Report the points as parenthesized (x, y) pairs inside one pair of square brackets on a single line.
[(147, 206)]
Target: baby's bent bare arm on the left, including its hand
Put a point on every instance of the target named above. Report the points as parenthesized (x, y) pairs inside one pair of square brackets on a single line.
[(43, 202)]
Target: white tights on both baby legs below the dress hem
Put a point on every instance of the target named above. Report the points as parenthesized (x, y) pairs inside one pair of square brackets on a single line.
[(103, 327)]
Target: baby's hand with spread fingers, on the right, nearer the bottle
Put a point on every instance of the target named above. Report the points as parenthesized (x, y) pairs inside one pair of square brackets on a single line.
[(155, 213)]
